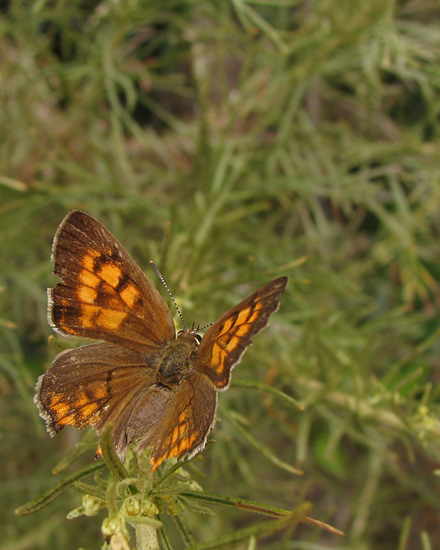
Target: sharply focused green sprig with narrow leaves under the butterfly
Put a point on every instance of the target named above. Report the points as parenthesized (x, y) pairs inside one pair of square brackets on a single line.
[(133, 497)]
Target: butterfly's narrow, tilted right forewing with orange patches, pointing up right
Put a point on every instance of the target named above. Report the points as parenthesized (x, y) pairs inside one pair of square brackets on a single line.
[(227, 339)]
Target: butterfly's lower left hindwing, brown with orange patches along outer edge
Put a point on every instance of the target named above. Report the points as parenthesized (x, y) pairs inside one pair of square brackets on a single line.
[(94, 384)]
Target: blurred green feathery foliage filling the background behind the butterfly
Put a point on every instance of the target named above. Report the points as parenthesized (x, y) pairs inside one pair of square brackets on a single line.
[(233, 141)]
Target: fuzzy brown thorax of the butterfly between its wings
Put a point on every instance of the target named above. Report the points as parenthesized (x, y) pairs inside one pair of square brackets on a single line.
[(176, 360)]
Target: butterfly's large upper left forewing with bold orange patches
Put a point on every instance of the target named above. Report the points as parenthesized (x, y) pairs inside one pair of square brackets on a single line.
[(104, 294)]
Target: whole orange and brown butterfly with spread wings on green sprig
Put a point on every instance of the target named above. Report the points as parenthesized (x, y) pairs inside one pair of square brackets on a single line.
[(158, 389)]
